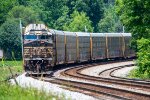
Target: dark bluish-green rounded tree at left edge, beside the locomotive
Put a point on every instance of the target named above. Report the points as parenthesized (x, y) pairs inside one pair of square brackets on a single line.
[(10, 38)]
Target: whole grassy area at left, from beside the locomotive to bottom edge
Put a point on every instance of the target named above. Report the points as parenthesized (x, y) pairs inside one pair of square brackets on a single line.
[(13, 92)]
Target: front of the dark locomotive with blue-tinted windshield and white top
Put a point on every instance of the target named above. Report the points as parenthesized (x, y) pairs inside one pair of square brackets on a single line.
[(37, 48)]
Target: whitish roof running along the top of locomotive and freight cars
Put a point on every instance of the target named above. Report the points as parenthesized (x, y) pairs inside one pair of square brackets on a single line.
[(41, 28)]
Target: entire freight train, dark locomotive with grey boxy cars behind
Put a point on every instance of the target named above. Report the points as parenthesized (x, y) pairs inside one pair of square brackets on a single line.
[(44, 48)]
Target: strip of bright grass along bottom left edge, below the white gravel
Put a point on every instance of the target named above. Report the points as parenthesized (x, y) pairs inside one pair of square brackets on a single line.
[(10, 92)]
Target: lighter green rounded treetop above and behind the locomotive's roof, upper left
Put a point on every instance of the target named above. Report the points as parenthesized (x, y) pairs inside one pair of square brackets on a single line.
[(26, 14)]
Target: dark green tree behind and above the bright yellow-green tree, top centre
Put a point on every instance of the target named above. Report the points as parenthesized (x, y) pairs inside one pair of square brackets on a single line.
[(92, 8)]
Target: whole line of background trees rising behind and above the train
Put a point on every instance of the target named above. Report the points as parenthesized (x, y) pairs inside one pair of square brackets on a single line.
[(62, 14)]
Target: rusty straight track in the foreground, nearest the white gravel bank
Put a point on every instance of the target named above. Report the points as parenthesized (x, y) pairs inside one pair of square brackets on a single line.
[(98, 91)]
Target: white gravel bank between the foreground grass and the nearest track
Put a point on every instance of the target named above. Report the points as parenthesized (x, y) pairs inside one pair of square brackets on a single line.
[(24, 81)]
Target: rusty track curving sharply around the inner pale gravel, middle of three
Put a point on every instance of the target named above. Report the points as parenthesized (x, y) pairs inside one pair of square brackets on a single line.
[(76, 73)]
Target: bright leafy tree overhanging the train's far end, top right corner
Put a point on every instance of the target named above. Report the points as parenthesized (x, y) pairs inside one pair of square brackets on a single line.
[(135, 15)]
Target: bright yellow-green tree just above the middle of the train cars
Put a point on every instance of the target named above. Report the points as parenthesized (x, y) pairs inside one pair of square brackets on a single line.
[(79, 22)]
